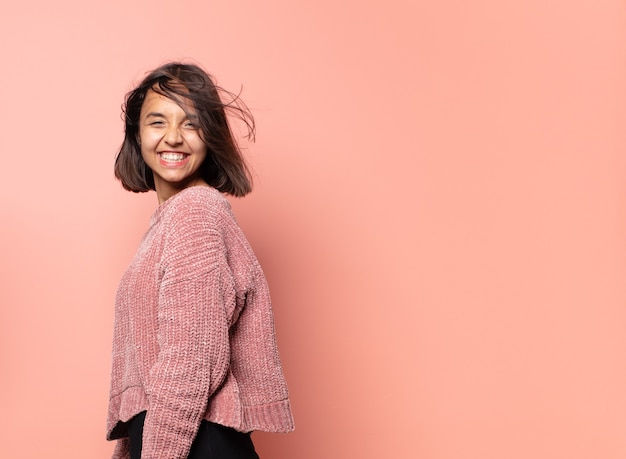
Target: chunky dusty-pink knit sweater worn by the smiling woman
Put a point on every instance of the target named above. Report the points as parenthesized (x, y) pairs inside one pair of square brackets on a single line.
[(194, 333)]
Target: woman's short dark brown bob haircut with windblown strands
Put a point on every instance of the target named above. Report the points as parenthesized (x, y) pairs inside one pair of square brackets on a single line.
[(224, 167)]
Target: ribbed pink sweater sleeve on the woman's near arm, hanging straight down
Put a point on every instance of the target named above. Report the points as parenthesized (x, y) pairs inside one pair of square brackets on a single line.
[(192, 333)]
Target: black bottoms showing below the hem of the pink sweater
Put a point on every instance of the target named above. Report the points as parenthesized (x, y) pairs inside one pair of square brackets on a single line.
[(213, 441)]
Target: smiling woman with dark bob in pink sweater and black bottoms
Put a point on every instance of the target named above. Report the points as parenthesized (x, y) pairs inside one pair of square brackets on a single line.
[(195, 363)]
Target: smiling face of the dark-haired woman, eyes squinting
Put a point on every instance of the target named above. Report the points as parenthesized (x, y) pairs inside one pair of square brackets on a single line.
[(171, 144)]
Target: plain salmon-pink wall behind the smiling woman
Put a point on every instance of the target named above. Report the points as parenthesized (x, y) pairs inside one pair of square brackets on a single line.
[(440, 209)]
